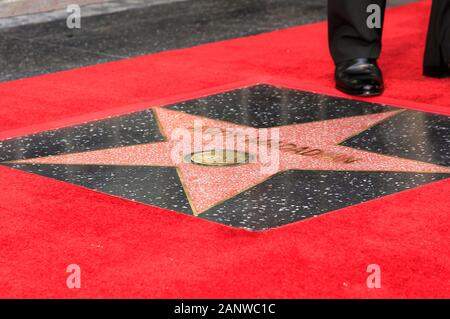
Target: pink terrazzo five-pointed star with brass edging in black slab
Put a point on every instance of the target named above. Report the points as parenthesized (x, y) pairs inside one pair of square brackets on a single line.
[(309, 146)]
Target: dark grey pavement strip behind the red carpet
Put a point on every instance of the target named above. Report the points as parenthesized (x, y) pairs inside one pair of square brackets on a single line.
[(127, 28)]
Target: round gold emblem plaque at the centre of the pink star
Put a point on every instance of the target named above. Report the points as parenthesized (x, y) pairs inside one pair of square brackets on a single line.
[(218, 158)]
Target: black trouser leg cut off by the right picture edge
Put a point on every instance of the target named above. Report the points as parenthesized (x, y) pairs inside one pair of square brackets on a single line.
[(437, 52)]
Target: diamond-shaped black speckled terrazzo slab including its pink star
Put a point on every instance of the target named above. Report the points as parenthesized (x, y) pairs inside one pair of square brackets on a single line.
[(333, 153)]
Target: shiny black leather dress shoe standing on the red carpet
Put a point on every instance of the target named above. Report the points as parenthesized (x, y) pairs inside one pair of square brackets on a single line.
[(361, 77)]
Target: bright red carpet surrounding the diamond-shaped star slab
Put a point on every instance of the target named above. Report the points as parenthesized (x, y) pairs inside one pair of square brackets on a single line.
[(131, 250)]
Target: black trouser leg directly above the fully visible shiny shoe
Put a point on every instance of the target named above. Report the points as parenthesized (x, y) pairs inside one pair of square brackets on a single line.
[(348, 33)]
